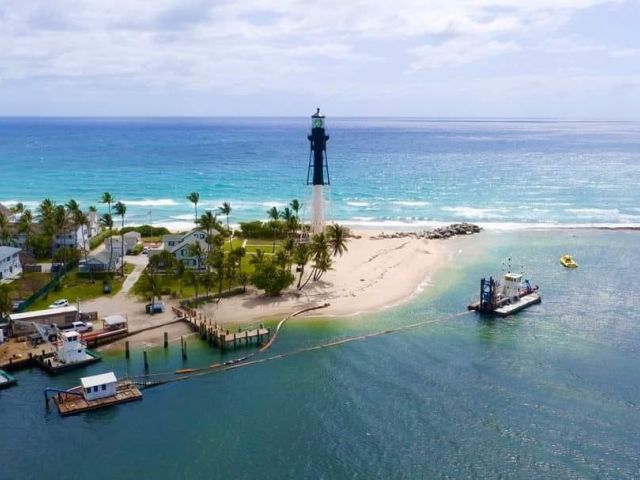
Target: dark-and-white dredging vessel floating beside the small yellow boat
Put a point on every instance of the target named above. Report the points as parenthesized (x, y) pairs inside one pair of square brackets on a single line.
[(507, 298)]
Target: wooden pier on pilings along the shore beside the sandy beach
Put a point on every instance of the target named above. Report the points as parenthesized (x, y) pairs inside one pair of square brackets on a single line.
[(216, 335)]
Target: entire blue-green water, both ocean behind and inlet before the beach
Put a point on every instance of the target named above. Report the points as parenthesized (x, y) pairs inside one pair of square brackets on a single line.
[(552, 392)]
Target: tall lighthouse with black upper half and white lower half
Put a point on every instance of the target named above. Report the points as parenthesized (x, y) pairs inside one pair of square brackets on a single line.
[(318, 171)]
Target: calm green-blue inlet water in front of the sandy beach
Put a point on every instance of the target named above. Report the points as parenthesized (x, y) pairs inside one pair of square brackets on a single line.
[(551, 393)]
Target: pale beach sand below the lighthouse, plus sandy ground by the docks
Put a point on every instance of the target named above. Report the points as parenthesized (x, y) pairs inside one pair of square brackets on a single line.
[(372, 275)]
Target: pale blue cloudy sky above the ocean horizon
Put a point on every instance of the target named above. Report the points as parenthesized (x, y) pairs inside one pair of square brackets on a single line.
[(577, 59)]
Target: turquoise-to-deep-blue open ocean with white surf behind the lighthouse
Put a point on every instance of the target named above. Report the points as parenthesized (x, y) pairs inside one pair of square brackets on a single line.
[(384, 172)]
